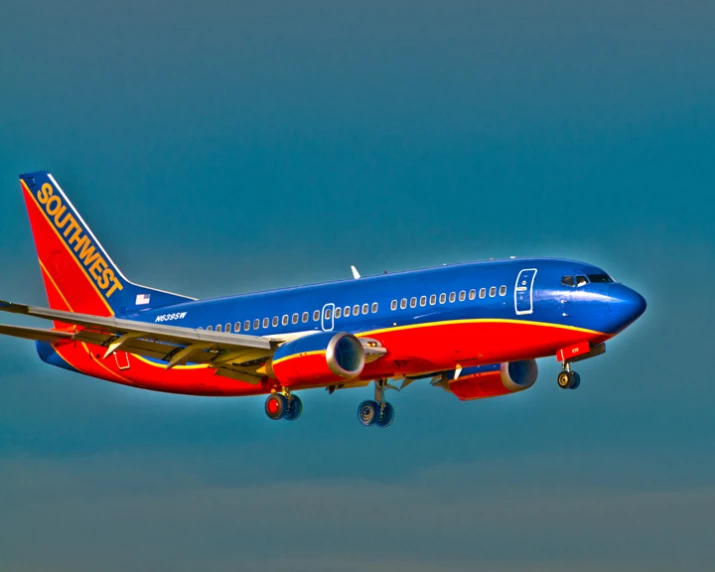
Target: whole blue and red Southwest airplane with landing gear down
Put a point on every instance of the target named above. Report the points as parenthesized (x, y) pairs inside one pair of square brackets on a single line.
[(474, 330)]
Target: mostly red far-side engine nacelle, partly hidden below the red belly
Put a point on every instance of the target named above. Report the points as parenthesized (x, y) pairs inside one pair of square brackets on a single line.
[(492, 380)]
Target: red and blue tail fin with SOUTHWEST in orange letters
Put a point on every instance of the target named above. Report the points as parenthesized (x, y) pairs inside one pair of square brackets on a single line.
[(79, 275)]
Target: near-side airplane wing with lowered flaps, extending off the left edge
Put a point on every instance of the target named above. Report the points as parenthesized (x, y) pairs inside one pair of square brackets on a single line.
[(236, 356)]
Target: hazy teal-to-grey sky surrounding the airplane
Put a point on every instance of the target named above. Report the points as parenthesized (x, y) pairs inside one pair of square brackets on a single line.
[(225, 147)]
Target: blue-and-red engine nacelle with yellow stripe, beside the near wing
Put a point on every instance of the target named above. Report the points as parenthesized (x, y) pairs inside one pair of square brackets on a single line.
[(324, 357)]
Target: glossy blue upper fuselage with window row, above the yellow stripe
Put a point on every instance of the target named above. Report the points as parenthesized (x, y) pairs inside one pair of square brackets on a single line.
[(531, 290)]
